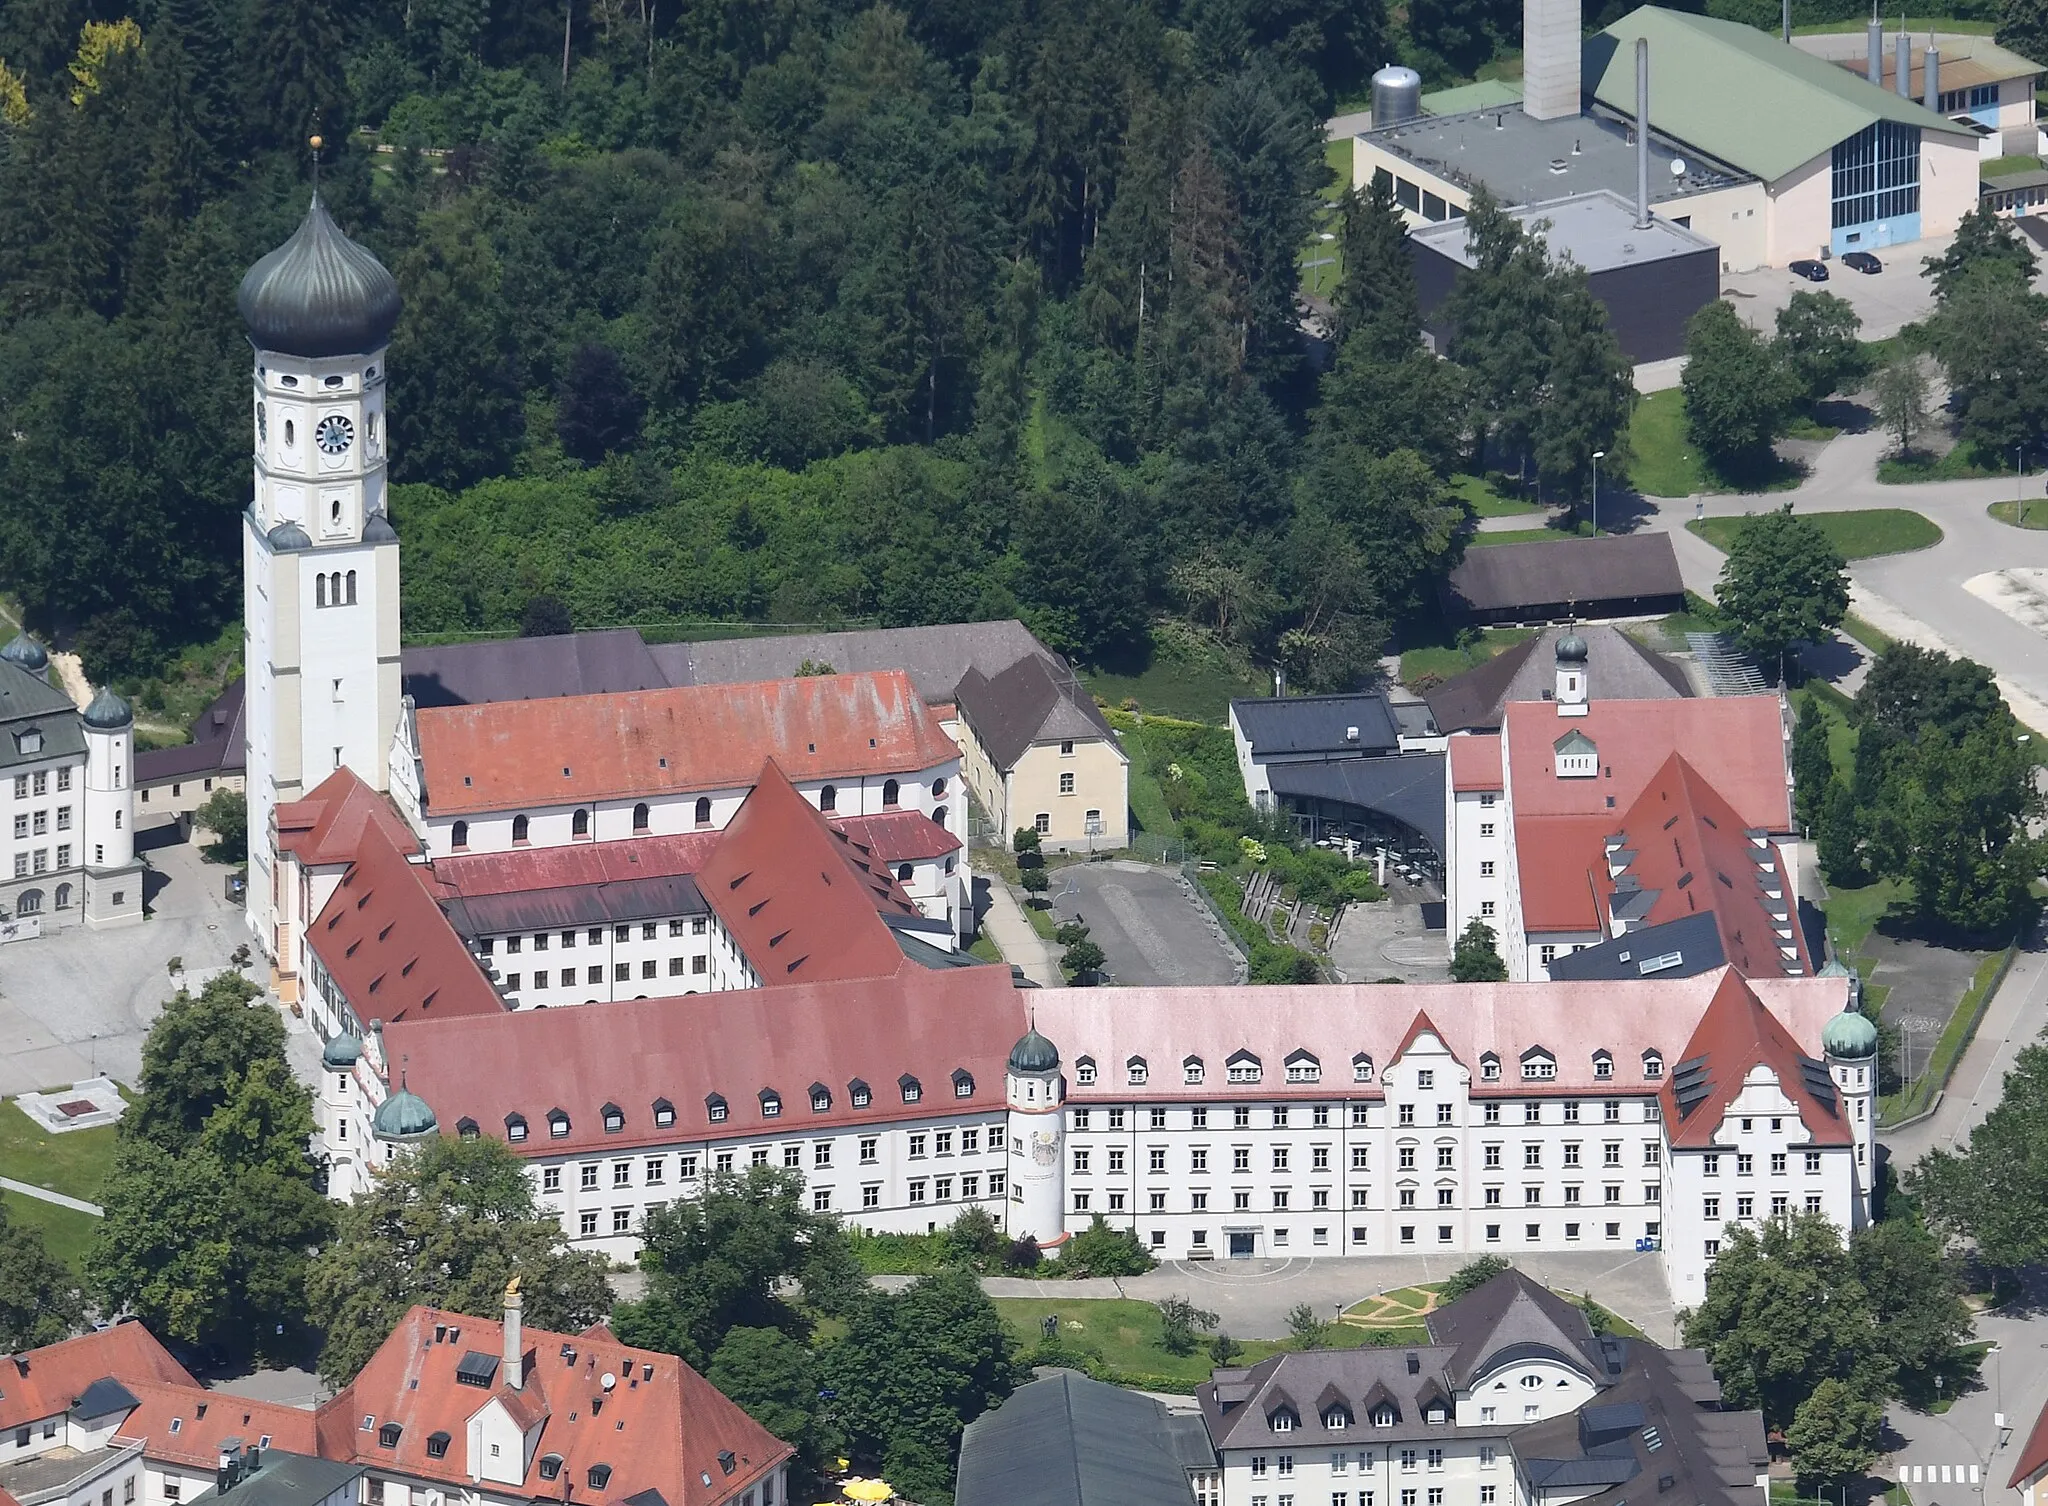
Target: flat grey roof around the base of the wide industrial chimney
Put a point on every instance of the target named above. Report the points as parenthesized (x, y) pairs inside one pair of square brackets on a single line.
[(1529, 161)]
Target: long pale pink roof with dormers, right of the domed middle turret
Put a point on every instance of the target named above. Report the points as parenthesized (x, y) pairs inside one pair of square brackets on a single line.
[(1570, 1021)]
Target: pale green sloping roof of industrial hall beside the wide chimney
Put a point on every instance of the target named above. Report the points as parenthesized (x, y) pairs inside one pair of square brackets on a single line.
[(1742, 95)]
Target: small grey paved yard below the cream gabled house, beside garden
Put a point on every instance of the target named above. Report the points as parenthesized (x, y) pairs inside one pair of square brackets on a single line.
[(1148, 927)]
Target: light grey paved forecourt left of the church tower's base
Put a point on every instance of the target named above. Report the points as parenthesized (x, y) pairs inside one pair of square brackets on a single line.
[(79, 1003)]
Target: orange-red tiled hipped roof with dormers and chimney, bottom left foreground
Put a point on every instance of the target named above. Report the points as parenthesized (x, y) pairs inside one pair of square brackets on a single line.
[(663, 1427)]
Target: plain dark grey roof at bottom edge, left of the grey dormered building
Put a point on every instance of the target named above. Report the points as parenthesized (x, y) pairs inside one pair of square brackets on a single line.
[(1070, 1441)]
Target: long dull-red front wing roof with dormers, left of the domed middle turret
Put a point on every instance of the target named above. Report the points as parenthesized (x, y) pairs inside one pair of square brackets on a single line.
[(921, 1023)]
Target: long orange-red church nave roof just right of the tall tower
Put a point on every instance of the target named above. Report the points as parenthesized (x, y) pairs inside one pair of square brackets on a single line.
[(509, 755)]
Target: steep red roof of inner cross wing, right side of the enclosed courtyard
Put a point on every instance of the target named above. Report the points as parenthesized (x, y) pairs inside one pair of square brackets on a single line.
[(798, 896)]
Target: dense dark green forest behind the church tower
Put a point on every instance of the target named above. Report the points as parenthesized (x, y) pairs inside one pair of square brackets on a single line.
[(794, 312)]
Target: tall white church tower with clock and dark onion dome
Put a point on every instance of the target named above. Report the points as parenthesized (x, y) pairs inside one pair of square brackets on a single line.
[(318, 554)]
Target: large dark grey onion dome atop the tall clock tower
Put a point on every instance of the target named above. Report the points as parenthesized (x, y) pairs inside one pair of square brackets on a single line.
[(321, 294)]
